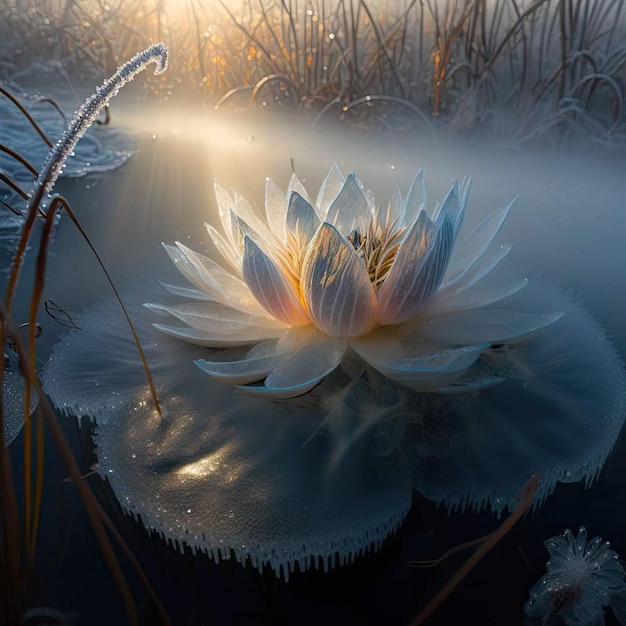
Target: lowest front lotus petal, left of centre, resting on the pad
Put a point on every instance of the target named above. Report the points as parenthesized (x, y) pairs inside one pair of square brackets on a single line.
[(299, 373)]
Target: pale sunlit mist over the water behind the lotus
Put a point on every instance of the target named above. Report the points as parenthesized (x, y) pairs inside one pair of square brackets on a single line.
[(567, 223)]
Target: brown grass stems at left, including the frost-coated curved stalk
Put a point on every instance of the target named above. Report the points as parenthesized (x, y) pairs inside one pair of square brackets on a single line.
[(19, 526)]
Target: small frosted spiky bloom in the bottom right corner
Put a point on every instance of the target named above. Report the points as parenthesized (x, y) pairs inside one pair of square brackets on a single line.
[(582, 578)]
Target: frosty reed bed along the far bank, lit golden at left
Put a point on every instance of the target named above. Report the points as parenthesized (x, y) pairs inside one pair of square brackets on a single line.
[(526, 70)]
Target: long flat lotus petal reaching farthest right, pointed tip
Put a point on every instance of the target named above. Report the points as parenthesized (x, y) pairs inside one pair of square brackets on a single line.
[(495, 326)]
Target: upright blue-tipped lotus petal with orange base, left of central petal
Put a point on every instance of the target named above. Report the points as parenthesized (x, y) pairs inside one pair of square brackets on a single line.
[(270, 287)]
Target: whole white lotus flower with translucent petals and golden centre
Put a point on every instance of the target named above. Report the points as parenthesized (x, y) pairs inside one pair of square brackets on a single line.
[(309, 282)]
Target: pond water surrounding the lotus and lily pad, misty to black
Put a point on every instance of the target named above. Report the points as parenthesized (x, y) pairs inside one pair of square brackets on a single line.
[(568, 225)]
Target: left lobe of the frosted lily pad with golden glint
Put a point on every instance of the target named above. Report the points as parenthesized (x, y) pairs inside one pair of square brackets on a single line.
[(220, 473)]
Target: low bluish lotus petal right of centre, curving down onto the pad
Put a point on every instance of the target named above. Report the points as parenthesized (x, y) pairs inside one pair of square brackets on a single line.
[(427, 371)]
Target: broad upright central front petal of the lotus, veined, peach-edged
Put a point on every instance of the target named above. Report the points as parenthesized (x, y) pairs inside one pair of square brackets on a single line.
[(336, 287)]
